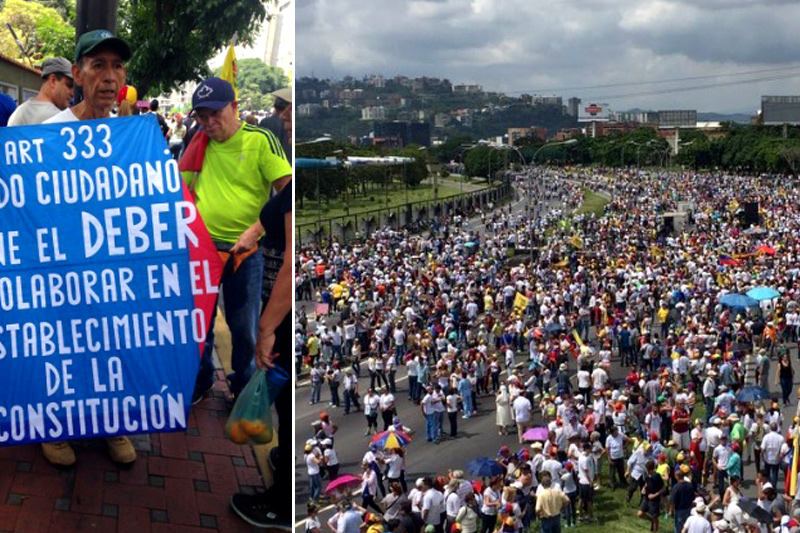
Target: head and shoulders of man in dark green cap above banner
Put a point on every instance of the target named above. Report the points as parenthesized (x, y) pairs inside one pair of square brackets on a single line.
[(99, 70)]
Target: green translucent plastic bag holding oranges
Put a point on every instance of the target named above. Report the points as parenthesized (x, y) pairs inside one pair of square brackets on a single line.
[(250, 421)]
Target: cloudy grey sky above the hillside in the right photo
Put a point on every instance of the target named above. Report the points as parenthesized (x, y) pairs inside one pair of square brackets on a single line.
[(536, 46)]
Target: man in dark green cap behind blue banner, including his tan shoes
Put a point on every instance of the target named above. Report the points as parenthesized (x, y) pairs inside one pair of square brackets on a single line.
[(99, 70)]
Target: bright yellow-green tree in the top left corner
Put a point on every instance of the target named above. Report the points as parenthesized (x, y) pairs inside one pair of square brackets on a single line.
[(42, 32)]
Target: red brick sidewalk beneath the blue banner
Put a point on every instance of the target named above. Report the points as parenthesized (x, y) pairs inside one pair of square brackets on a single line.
[(181, 482)]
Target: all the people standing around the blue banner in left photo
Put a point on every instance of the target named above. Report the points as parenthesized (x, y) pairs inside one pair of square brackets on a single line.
[(240, 178)]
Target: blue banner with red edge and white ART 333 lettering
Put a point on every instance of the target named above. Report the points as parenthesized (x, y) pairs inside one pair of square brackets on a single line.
[(108, 278)]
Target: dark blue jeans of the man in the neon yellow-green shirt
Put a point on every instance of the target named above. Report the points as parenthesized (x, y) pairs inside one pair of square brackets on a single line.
[(242, 301)]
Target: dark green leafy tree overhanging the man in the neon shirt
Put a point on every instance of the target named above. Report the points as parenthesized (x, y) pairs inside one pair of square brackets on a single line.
[(172, 40)]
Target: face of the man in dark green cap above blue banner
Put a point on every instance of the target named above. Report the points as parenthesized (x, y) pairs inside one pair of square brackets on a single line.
[(100, 76)]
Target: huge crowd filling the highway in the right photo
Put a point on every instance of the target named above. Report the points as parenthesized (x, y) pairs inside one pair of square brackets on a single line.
[(614, 340)]
